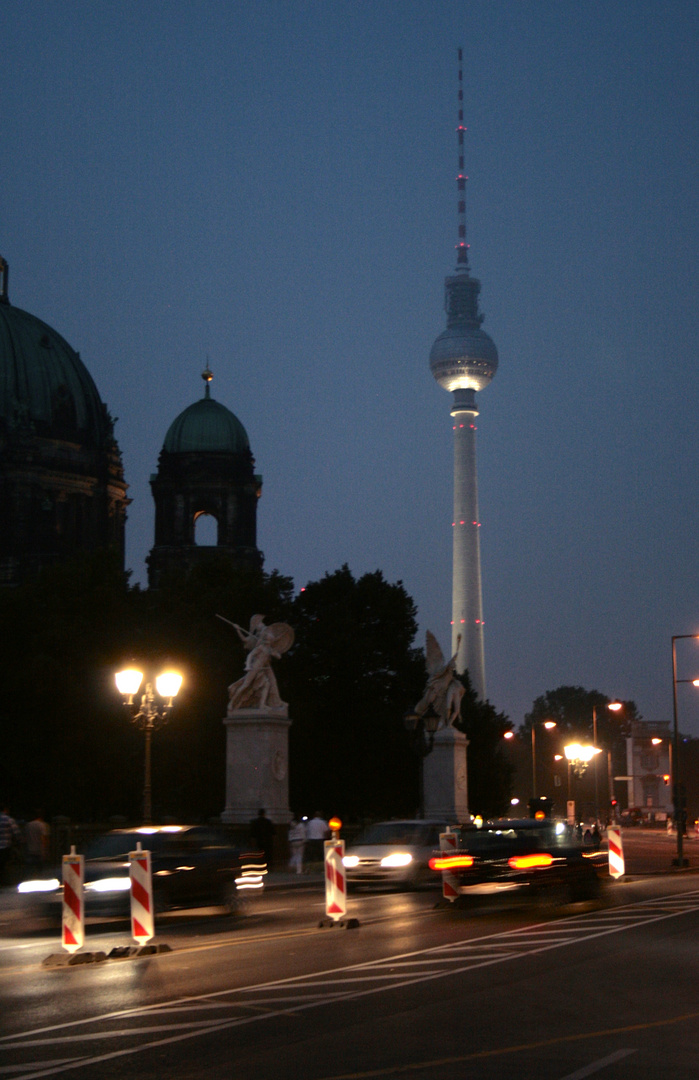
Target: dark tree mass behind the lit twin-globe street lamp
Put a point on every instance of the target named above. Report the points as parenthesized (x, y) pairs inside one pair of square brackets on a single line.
[(69, 745)]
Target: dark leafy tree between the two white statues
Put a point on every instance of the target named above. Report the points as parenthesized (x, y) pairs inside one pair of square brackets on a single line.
[(352, 677)]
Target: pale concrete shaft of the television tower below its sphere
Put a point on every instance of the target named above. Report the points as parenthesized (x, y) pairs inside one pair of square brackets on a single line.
[(467, 599)]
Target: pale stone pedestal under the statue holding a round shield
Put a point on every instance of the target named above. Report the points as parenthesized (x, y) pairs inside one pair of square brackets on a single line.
[(258, 765)]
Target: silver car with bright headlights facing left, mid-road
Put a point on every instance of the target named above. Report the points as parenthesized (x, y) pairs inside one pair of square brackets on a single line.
[(394, 853)]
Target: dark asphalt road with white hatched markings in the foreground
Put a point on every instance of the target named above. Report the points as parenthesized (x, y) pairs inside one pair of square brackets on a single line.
[(415, 992)]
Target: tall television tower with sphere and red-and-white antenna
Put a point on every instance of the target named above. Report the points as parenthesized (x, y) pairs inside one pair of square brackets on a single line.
[(463, 360)]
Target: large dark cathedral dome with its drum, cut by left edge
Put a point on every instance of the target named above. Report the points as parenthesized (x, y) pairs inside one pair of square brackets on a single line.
[(62, 485)]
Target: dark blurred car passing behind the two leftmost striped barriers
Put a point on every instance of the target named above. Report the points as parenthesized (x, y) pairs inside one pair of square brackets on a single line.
[(193, 867)]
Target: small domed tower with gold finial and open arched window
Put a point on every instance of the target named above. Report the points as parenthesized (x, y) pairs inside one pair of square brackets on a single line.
[(206, 472)]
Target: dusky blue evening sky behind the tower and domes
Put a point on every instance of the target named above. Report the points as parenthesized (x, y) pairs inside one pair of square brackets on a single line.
[(270, 187)]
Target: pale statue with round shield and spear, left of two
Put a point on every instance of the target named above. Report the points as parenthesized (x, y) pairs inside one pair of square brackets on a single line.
[(258, 688)]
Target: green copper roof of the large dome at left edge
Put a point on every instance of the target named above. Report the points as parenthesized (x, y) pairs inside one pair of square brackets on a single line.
[(44, 384)]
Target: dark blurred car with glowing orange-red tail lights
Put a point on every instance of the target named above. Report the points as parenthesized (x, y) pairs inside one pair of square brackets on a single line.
[(542, 859)]
